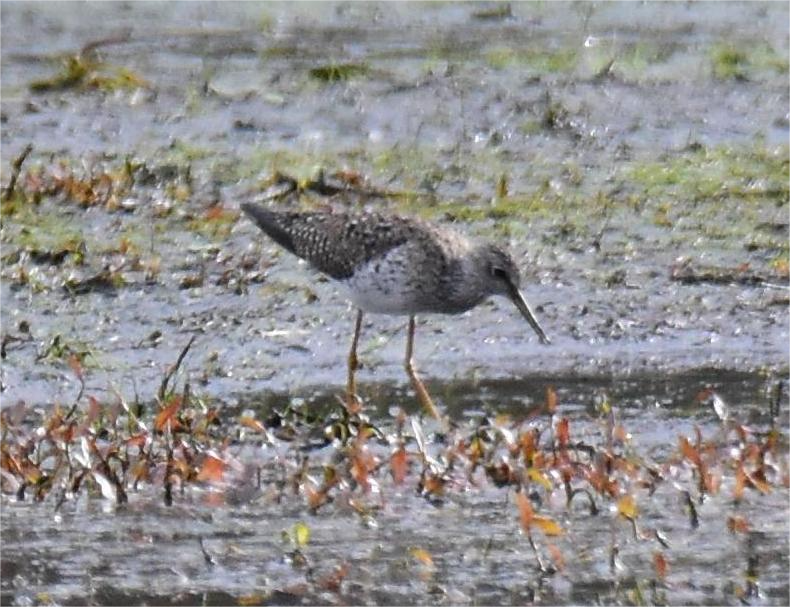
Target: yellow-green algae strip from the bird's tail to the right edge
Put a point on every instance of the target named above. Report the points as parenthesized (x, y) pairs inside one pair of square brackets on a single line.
[(683, 190)]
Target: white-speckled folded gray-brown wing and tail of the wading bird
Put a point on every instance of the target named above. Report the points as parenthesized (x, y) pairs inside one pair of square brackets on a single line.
[(334, 243)]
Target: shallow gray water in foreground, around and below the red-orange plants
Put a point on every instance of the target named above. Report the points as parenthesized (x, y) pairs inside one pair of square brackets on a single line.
[(145, 551)]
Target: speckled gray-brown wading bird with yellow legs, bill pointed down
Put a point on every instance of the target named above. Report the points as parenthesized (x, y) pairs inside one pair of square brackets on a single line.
[(397, 265)]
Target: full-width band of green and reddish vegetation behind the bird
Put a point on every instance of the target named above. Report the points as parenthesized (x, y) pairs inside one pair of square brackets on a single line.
[(748, 183)]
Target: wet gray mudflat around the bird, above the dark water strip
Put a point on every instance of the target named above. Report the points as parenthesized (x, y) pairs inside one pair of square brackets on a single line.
[(601, 280)]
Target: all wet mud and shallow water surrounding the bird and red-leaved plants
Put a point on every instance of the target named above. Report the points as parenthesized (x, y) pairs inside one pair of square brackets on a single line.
[(636, 169)]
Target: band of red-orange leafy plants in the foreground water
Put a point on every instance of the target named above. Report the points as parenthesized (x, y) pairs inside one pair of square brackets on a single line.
[(558, 475)]
